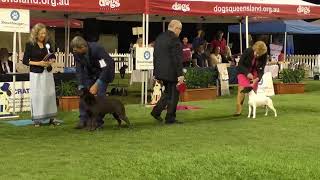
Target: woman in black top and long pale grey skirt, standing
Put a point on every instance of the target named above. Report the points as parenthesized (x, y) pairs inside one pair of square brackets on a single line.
[(43, 95)]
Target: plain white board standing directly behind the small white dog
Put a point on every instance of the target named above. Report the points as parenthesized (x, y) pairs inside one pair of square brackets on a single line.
[(265, 85)]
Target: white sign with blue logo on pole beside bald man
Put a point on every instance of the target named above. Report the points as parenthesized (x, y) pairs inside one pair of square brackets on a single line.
[(144, 58)]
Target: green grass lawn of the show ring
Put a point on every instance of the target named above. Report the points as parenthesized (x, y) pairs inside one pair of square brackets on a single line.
[(211, 144)]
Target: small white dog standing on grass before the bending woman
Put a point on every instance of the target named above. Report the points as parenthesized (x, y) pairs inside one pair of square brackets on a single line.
[(256, 100)]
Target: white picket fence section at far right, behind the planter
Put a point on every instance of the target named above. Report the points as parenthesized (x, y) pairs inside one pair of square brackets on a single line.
[(313, 61)]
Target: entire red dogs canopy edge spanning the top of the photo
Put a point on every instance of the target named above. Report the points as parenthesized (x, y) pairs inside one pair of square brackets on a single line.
[(265, 8)]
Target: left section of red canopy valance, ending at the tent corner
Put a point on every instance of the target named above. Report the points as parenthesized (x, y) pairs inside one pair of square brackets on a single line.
[(104, 6)]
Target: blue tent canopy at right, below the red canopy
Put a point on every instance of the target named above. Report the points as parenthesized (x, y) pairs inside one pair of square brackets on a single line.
[(280, 26)]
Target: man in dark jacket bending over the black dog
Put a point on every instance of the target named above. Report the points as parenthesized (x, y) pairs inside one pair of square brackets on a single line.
[(95, 69)]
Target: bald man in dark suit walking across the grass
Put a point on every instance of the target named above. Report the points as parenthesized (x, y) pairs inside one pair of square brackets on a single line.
[(168, 58)]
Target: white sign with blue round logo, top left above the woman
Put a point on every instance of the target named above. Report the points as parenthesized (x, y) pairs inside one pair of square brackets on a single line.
[(15, 20)]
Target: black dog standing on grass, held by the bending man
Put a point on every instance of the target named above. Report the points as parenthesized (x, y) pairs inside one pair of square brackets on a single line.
[(100, 106)]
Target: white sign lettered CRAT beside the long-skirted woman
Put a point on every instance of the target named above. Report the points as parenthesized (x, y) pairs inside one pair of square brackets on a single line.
[(22, 99)]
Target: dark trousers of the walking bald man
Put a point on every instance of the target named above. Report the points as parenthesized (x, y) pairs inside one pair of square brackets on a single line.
[(169, 100)]
